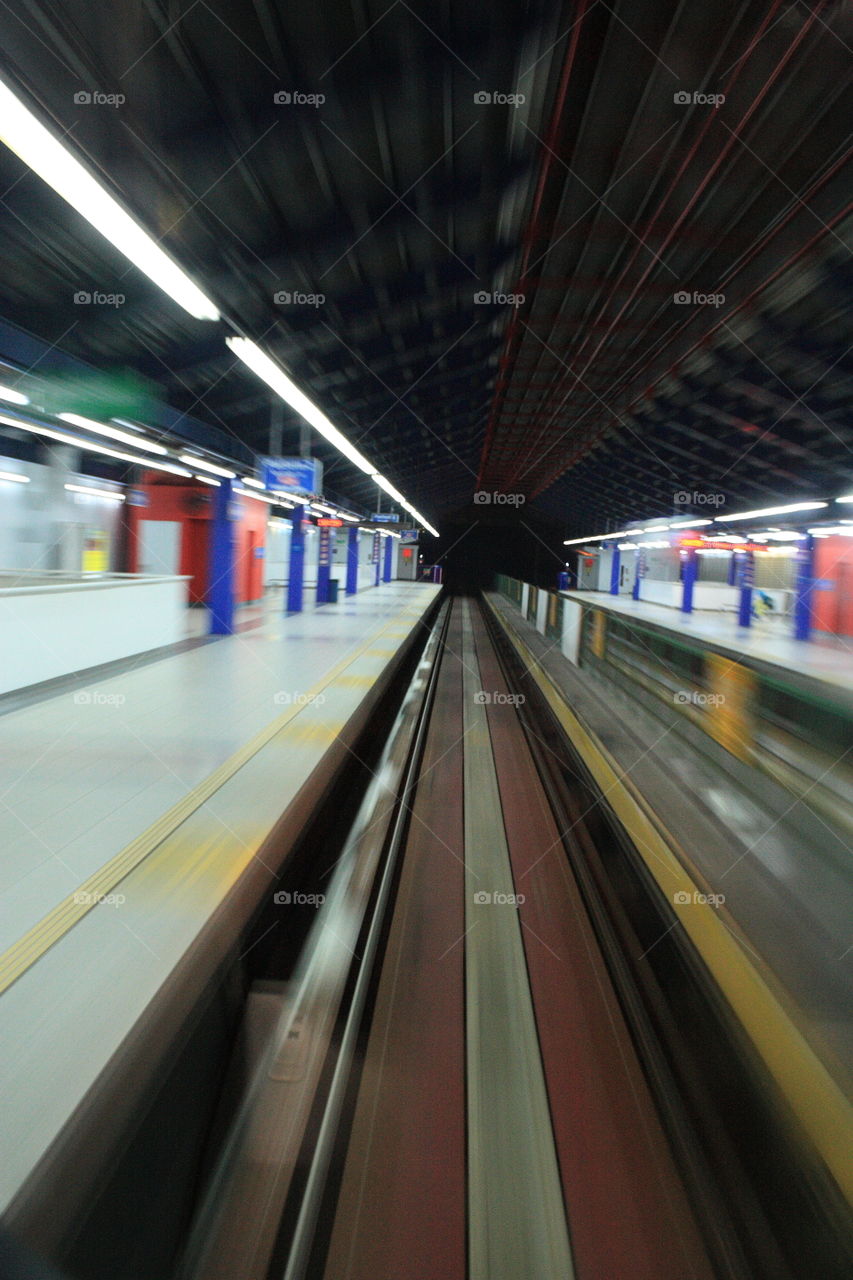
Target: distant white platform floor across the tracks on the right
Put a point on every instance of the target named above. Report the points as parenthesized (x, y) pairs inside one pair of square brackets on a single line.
[(824, 657)]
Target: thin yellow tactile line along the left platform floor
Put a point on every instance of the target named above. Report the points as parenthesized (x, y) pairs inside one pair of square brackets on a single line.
[(33, 945)]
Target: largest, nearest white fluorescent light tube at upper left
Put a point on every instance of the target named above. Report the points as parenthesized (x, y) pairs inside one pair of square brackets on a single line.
[(54, 163)]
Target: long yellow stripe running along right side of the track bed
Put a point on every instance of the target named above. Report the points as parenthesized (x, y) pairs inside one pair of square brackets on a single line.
[(813, 1094)]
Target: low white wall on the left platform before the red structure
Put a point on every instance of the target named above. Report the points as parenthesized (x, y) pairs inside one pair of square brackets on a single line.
[(56, 630)]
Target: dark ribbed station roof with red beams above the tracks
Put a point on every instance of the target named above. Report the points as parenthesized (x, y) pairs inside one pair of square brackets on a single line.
[(594, 255)]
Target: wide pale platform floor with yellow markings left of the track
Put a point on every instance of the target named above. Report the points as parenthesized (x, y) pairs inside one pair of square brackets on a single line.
[(152, 794)]
